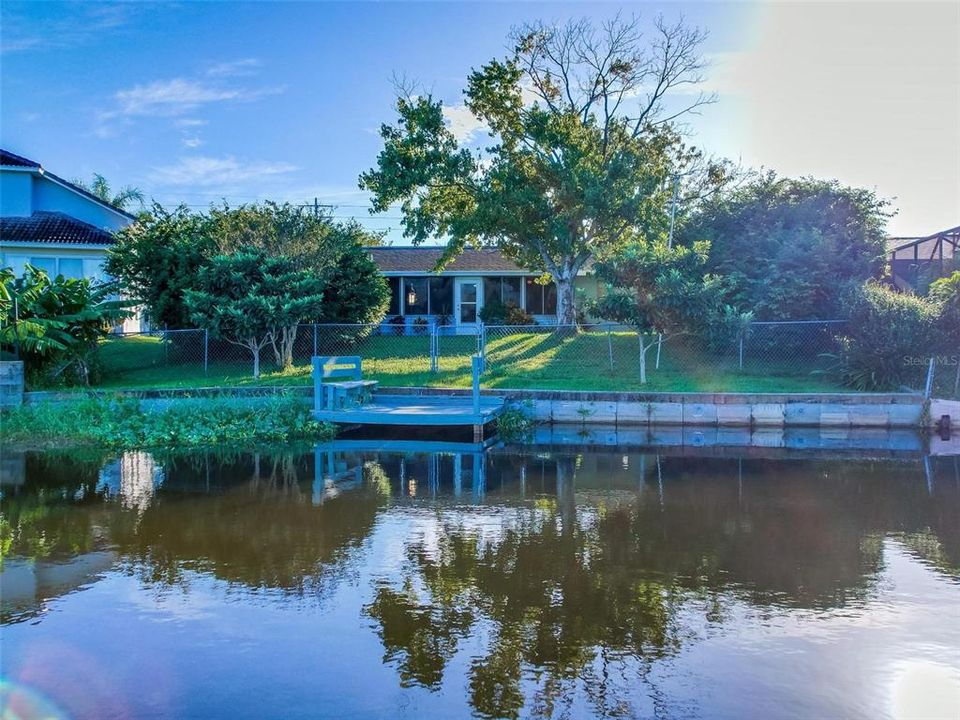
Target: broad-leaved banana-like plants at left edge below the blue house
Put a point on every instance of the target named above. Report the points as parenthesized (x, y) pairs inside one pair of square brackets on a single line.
[(56, 323)]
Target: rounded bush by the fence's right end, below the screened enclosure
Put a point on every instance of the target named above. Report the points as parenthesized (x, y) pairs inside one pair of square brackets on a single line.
[(890, 337)]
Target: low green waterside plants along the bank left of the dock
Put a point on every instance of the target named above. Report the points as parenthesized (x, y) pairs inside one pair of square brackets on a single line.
[(127, 423)]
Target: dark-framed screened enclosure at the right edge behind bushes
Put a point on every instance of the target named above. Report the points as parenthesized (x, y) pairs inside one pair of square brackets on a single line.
[(916, 262)]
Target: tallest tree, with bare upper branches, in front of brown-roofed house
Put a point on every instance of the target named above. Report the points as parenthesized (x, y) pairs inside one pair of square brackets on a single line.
[(583, 148)]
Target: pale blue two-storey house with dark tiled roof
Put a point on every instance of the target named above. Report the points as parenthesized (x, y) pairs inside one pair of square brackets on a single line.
[(52, 224)]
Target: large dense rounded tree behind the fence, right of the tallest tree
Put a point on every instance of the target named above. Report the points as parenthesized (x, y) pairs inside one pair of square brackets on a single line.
[(789, 248)]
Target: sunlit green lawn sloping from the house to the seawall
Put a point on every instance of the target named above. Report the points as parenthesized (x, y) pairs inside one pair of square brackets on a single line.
[(536, 360)]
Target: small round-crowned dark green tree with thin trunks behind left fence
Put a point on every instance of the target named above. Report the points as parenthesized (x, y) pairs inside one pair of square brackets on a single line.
[(250, 299)]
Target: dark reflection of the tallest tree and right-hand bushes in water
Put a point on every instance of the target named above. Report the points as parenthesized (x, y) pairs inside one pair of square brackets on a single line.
[(595, 569)]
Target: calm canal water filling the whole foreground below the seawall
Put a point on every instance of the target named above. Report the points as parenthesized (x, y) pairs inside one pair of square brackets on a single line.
[(520, 582)]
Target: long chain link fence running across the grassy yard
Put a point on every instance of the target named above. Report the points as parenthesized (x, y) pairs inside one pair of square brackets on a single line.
[(762, 357)]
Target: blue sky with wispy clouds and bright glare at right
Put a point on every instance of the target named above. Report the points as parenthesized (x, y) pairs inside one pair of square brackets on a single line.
[(194, 102)]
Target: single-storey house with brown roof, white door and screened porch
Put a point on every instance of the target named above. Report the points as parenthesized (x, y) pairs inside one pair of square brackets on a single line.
[(456, 295)]
